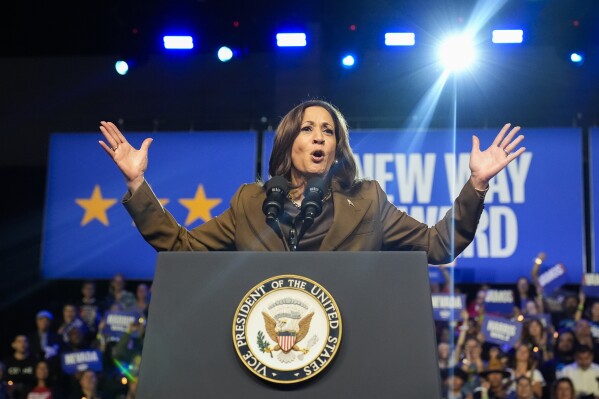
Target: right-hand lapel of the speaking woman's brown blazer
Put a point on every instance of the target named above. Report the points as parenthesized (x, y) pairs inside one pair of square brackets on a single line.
[(348, 213)]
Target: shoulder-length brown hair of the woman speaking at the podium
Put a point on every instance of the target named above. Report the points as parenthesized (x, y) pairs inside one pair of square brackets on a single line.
[(344, 171)]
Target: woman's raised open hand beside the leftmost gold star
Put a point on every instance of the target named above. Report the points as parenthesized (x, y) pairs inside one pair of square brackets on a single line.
[(131, 162)]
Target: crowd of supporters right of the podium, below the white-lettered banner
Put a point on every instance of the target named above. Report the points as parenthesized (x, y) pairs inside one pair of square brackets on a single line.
[(555, 356)]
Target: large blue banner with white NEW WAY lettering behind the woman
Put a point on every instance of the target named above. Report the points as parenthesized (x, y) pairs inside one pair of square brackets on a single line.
[(528, 207)]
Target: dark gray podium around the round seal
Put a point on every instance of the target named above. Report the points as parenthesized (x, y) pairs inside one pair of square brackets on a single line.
[(388, 347)]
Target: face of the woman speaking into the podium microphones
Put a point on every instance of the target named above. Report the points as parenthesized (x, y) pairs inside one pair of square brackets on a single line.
[(313, 151)]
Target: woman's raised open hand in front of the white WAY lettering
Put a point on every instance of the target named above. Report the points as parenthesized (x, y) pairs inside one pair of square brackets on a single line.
[(484, 165)]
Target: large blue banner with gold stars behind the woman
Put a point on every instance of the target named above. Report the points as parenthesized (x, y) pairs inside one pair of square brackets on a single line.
[(89, 234)]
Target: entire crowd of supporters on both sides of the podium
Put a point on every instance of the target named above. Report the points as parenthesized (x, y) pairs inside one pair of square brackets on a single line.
[(555, 356)]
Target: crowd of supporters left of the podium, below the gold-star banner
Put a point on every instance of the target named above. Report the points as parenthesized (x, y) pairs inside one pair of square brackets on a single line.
[(106, 363)]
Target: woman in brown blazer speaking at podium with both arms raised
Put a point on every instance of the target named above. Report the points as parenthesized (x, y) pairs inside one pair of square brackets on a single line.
[(311, 142)]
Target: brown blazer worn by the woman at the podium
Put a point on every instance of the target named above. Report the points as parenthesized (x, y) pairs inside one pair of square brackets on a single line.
[(363, 221)]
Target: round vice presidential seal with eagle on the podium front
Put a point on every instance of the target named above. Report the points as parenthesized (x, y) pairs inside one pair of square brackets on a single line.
[(287, 329)]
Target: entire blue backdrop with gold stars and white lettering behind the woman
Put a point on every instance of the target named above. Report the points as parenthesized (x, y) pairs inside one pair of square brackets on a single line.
[(535, 205)]
